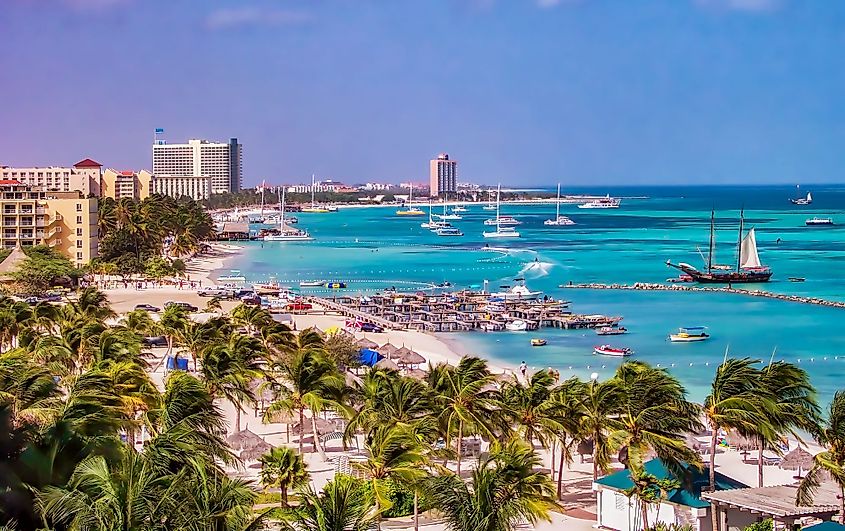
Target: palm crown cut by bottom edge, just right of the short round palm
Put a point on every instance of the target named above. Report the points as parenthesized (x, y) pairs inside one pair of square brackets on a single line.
[(343, 505)]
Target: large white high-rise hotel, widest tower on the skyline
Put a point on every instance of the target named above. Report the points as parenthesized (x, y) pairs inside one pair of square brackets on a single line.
[(222, 162)]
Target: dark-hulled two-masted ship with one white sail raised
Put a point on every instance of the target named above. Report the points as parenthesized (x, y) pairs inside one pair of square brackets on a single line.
[(748, 266)]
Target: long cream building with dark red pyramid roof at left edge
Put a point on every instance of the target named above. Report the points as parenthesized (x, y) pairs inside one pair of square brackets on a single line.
[(83, 177)]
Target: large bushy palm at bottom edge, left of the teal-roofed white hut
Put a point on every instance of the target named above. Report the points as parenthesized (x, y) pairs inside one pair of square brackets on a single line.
[(505, 492)]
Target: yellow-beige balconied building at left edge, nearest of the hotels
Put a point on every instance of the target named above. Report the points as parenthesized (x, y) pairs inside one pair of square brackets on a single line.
[(66, 221)]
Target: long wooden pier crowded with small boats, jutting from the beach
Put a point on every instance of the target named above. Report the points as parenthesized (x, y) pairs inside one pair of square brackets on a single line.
[(460, 312)]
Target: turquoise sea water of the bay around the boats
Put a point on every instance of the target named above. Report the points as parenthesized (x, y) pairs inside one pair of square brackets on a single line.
[(372, 248)]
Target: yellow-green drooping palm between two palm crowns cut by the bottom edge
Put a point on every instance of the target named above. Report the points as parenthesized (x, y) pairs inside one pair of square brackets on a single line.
[(395, 455)]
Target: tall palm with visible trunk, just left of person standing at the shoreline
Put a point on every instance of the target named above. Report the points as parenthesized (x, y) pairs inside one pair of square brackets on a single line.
[(464, 400)]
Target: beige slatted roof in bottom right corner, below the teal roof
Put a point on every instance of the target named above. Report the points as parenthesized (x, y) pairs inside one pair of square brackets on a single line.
[(779, 501)]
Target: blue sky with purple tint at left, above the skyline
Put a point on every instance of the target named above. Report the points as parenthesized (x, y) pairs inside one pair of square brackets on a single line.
[(522, 92)]
